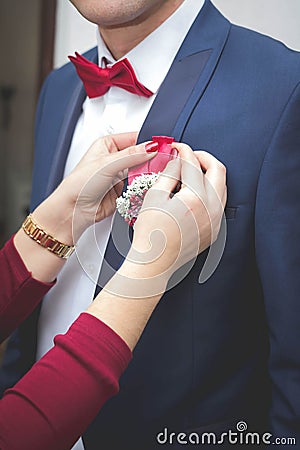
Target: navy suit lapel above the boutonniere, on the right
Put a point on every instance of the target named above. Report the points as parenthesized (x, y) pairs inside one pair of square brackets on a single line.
[(188, 76)]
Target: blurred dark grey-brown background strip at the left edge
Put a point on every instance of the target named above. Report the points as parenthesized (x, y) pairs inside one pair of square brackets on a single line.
[(19, 49)]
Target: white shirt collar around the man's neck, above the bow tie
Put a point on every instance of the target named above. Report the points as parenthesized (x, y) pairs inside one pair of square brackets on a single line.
[(152, 58)]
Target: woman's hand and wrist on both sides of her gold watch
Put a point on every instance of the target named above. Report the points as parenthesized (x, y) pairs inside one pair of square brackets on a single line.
[(88, 194)]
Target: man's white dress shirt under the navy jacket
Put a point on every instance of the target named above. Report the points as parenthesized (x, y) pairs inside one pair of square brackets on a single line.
[(115, 112)]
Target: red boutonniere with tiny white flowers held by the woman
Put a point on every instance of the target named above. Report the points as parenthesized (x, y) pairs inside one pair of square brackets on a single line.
[(142, 178)]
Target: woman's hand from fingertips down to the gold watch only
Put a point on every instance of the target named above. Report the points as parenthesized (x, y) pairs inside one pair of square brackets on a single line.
[(89, 193)]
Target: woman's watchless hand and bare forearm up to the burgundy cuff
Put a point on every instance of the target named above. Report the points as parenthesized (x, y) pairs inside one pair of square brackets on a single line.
[(171, 229)]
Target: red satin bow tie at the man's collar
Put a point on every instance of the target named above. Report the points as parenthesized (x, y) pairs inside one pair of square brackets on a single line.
[(97, 81)]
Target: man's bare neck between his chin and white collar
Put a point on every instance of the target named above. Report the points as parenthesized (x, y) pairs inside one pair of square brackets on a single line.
[(121, 39)]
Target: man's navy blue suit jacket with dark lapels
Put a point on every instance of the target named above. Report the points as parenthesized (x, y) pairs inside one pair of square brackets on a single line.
[(228, 349)]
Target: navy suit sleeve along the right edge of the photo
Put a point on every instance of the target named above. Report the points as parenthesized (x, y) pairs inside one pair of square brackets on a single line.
[(277, 227)]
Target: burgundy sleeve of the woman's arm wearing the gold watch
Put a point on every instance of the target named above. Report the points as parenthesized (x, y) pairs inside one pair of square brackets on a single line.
[(20, 293)]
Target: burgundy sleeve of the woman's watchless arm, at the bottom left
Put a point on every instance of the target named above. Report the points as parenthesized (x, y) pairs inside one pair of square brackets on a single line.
[(52, 405)]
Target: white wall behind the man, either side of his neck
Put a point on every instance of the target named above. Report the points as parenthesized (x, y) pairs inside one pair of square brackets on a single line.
[(277, 18)]
